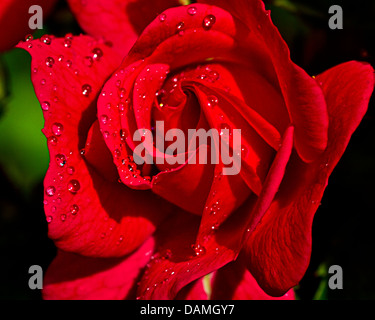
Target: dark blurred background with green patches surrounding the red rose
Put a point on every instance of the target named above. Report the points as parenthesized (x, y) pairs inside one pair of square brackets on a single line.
[(343, 231)]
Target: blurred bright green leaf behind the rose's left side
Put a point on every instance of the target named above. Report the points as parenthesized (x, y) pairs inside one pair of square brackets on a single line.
[(23, 148)]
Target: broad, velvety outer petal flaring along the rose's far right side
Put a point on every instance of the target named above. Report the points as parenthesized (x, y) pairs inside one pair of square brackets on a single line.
[(278, 251)]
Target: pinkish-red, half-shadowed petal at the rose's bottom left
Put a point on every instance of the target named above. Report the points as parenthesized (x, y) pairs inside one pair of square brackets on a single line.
[(72, 276)]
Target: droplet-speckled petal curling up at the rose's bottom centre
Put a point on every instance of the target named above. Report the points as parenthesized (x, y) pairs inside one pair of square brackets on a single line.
[(176, 263)]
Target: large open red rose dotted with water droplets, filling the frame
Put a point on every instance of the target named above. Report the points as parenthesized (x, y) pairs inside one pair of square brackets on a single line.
[(197, 66)]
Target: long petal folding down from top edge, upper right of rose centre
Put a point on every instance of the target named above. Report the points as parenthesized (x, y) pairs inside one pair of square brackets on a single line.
[(304, 99)]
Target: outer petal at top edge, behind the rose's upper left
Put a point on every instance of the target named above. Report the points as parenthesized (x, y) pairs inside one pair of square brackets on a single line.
[(120, 21)]
